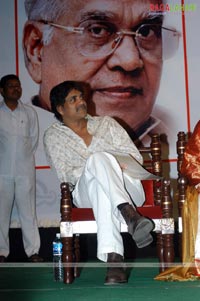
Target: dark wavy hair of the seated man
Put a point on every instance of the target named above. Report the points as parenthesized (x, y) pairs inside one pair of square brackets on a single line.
[(60, 92)]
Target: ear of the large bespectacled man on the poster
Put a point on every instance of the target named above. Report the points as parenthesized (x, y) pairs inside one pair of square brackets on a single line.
[(33, 47)]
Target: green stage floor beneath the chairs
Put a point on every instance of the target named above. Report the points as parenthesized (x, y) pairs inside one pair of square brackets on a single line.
[(34, 282)]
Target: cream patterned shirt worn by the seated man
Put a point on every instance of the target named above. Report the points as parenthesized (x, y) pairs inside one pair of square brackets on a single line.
[(67, 152)]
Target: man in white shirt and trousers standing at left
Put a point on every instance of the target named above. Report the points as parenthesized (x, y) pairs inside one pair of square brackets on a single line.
[(18, 142)]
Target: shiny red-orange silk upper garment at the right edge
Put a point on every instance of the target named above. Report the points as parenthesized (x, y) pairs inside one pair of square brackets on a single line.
[(191, 162)]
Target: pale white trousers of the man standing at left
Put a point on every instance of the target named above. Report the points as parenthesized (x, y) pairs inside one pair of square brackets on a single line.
[(20, 189)]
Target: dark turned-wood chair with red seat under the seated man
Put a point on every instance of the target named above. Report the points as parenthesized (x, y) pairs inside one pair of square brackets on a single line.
[(158, 206)]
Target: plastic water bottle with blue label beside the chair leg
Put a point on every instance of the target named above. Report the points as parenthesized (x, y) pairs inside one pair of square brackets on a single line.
[(57, 258)]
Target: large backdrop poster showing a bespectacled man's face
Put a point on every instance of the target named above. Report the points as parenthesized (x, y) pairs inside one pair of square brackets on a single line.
[(140, 58)]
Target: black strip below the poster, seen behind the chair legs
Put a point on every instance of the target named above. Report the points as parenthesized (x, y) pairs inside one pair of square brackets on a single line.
[(88, 246)]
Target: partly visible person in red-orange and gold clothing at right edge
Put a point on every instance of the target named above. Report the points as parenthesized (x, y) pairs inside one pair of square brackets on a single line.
[(190, 169)]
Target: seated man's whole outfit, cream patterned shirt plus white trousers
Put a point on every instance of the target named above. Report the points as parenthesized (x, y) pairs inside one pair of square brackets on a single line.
[(96, 174)]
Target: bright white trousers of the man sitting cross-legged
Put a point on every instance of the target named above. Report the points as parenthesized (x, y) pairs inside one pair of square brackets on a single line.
[(102, 188)]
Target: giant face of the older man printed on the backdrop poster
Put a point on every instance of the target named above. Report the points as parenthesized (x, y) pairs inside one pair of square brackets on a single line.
[(123, 70)]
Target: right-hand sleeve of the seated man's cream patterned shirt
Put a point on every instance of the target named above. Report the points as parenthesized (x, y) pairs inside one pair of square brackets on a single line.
[(122, 140)]
